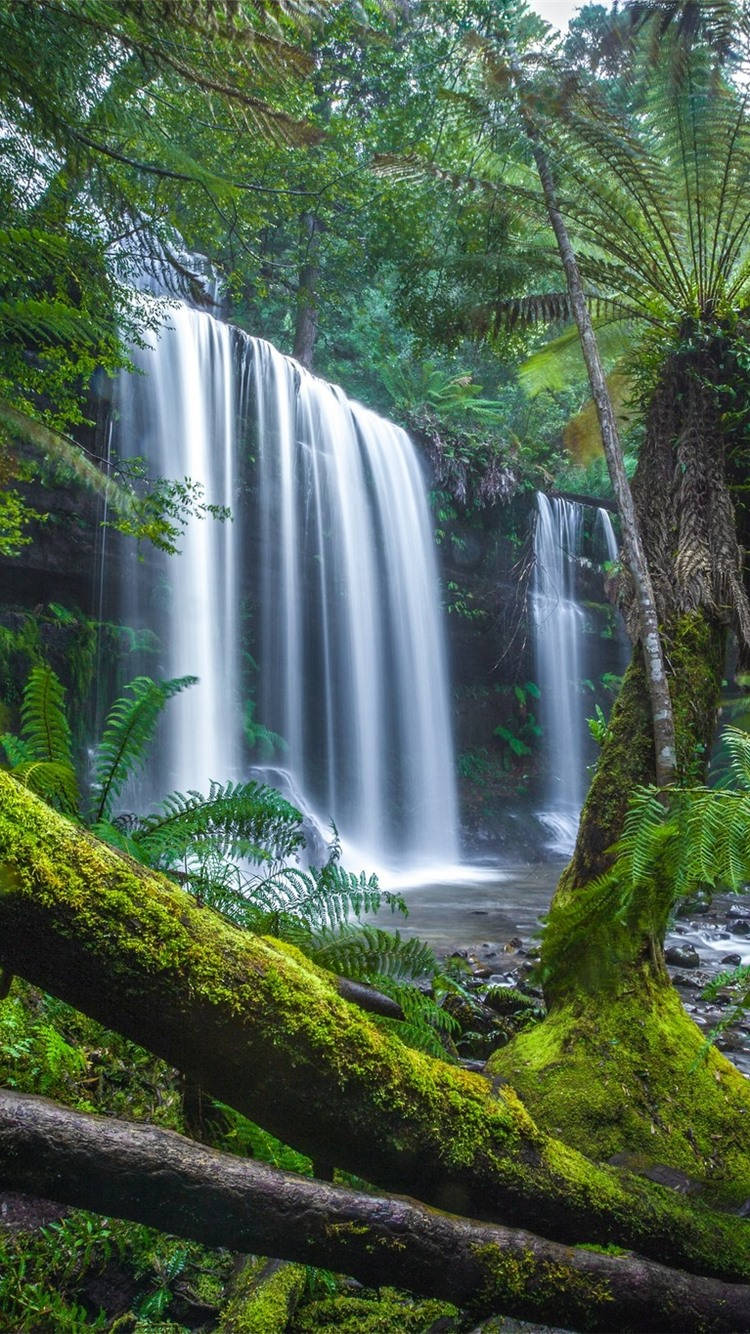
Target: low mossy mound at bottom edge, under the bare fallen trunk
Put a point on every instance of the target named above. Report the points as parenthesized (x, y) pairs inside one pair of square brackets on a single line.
[(388, 1312)]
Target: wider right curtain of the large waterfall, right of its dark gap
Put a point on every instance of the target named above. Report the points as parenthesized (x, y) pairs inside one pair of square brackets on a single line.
[(353, 670)]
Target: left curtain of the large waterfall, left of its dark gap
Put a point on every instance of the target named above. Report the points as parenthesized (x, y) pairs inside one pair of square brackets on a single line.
[(181, 416)]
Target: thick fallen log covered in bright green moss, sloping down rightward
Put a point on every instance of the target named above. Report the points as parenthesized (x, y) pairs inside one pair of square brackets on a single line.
[(264, 1031)]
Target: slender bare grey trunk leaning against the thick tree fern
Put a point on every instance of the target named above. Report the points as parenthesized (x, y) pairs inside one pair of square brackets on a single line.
[(633, 548)]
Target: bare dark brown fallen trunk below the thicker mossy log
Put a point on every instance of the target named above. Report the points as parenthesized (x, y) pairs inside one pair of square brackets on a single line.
[(161, 1179)]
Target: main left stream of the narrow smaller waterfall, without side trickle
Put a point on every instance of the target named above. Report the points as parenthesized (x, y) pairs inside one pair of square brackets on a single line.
[(558, 630)]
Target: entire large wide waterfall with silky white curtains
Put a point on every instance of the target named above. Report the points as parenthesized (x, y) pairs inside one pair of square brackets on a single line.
[(334, 553)]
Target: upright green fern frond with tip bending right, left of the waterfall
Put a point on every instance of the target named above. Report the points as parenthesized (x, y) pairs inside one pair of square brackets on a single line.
[(129, 729)]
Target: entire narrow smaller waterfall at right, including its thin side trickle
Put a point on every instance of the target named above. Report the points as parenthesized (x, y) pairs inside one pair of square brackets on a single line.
[(568, 657)]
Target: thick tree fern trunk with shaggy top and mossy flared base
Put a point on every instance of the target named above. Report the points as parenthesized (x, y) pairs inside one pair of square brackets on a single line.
[(616, 1023)]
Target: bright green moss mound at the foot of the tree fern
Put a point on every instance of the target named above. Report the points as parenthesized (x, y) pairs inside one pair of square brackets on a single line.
[(636, 1077)]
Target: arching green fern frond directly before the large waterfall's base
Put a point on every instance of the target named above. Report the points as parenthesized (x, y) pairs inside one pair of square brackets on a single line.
[(246, 821)]
